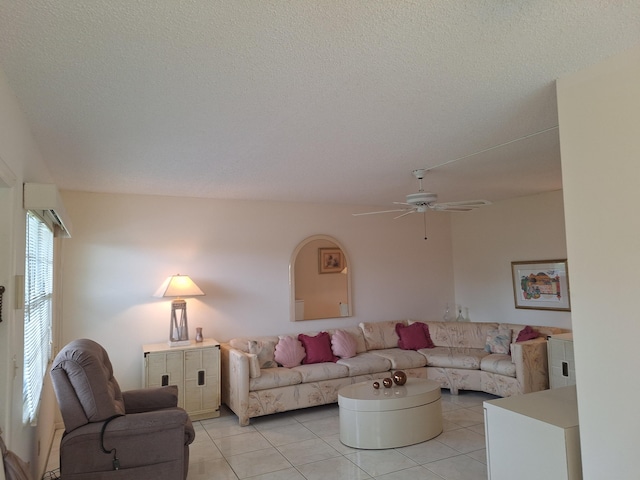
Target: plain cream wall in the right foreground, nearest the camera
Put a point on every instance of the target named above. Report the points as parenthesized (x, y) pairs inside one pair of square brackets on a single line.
[(600, 144)]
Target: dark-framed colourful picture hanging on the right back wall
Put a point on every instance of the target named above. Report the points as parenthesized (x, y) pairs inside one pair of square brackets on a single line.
[(541, 285)]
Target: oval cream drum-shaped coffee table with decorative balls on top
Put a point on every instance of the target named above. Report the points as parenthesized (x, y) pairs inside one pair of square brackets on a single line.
[(389, 417)]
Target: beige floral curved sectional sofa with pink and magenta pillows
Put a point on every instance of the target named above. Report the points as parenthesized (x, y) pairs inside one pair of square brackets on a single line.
[(458, 361)]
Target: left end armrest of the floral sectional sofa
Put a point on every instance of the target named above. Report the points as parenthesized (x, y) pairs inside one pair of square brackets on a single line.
[(235, 381)]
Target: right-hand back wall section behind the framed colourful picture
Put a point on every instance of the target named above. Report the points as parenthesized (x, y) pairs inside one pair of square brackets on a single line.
[(486, 241)]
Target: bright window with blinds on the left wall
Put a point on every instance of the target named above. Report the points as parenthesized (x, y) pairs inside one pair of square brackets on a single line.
[(37, 312)]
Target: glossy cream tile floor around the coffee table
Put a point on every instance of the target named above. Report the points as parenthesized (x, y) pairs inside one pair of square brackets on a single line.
[(305, 444)]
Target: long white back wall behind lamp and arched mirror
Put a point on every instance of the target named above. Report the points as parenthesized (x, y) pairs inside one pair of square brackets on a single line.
[(124, 246)]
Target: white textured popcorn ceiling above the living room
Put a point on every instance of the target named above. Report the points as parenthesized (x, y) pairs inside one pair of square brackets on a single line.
[(303, 100)]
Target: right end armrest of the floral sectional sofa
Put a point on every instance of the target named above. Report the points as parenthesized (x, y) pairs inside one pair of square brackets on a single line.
[(530, 359)]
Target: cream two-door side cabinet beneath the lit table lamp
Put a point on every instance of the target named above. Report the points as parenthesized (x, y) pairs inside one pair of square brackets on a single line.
[(194, 368)]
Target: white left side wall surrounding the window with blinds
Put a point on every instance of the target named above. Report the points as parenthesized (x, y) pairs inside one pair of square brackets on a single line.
[(20, 157)]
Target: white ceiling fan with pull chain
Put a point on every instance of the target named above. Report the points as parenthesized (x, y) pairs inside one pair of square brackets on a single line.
[(422, 201)]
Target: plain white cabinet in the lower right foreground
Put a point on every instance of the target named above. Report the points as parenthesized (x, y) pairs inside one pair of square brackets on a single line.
[(534, 436)]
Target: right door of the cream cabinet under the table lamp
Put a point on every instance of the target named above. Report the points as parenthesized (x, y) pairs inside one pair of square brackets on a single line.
[(202, 393)]
